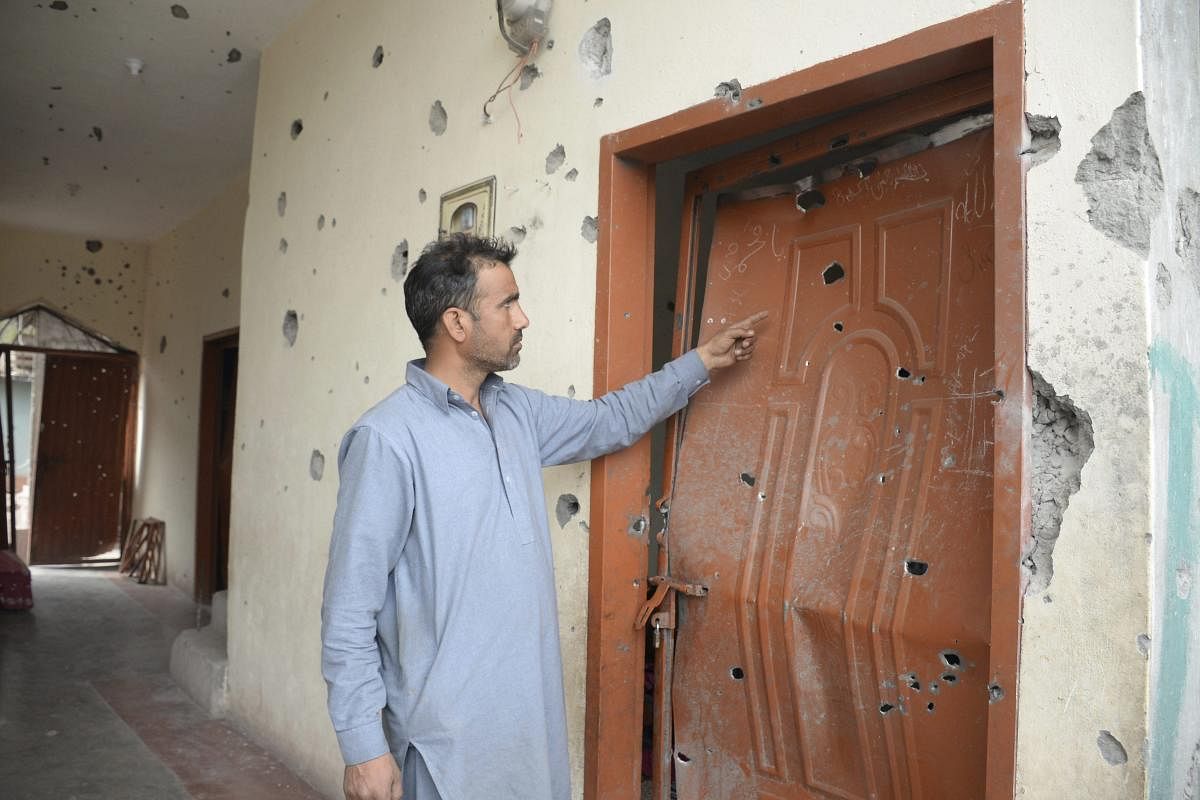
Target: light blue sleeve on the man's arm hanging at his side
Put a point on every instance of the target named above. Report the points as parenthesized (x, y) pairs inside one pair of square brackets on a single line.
[(375, 513)]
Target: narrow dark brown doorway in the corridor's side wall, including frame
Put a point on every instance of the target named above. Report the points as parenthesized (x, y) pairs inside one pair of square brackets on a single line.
[(219, 396)]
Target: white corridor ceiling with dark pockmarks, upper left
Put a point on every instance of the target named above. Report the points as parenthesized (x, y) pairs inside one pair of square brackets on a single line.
[(171, 139)]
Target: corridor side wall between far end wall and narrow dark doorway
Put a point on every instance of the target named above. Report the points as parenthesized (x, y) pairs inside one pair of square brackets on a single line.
[(194, 290)]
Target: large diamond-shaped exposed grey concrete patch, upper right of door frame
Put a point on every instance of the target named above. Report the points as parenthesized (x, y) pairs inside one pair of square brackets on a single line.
[(1123, 178)]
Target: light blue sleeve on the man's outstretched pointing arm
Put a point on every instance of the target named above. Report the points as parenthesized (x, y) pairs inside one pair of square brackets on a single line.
[(572, 431)]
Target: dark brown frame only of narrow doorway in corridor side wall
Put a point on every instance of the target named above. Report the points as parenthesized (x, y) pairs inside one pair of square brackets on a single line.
[(215, 345)]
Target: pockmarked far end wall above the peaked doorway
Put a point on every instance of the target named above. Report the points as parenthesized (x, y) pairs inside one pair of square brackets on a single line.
[(103, 291)]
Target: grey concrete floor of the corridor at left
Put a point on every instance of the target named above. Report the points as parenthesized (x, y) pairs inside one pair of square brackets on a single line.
[(88, 709)]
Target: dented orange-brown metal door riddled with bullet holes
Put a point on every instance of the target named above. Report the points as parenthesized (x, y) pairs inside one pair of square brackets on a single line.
[(836, 496)]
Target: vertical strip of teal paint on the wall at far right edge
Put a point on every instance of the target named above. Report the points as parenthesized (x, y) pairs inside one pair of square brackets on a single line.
[(1173, 372)]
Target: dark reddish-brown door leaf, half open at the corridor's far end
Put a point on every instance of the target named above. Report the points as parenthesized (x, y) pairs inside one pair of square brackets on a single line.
[(81, 459)]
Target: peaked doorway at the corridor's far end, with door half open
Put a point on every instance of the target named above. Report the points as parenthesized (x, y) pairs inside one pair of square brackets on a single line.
[(69, 436)]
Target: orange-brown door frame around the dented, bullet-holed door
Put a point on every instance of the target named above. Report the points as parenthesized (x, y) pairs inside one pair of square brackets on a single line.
[(993, 38)]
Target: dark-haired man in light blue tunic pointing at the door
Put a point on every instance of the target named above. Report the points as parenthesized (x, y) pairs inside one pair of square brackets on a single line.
[(440, 622)]
